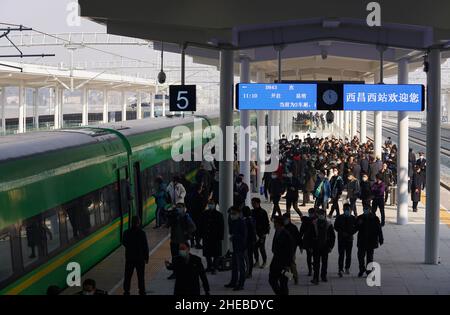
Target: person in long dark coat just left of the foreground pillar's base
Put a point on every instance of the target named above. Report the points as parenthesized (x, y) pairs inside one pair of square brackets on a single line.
[(212, 233)]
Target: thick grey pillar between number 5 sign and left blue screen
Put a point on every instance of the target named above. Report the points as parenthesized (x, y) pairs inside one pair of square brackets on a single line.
[(226, 119)]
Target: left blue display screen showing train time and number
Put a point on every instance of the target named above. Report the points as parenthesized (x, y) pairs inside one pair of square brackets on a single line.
[(296, 96)]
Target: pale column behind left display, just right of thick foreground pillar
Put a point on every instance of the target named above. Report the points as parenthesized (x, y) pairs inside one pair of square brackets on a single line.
[(244, 146)]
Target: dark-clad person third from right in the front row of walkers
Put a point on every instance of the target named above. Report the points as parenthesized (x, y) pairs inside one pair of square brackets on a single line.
[(323, 240)]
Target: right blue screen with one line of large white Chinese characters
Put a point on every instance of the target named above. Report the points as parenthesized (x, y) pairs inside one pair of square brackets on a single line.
[(384, 97)]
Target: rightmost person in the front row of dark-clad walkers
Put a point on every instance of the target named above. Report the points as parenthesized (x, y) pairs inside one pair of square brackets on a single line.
[(370, 236)]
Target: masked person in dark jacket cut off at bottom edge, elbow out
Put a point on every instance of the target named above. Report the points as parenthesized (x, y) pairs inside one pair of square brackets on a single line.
[(189, 271)]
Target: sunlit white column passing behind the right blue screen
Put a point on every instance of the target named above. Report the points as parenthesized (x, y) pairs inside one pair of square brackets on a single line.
[(402, 161)]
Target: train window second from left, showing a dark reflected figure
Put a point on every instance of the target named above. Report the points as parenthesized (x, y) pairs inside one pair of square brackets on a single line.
[(32, 240)]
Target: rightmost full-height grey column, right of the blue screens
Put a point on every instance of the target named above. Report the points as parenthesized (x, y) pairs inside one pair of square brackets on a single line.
[(433, 158)]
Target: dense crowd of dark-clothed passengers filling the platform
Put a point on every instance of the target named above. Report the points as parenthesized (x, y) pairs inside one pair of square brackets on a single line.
[(321, 175)]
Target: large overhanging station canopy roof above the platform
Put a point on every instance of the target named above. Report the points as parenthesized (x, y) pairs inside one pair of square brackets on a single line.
[(308, 31)]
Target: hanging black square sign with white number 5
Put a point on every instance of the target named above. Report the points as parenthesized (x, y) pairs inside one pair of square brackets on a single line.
[(183, 98)]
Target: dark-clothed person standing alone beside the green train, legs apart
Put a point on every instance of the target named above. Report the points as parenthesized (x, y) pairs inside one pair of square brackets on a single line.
[(136, 255)]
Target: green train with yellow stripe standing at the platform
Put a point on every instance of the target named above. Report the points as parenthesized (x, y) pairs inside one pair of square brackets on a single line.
[(67, 195)]
